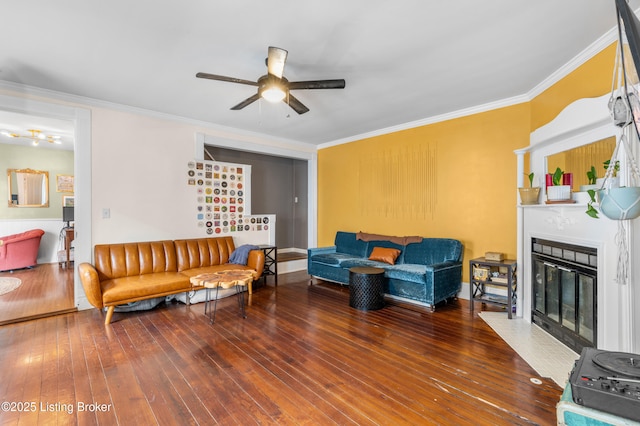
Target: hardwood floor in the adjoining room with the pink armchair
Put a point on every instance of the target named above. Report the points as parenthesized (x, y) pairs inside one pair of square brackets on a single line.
[(46, 289)]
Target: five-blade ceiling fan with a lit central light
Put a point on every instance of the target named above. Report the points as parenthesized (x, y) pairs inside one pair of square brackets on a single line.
[(273, 86)]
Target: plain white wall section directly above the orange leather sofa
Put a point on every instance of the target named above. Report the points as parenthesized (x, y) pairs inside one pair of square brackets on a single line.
[(139, 168)]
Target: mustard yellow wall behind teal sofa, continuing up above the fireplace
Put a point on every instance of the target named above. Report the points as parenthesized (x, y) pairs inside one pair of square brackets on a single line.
[(466, 166)]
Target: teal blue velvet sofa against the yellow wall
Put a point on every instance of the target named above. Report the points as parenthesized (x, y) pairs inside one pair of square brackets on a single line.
[(429, 271)]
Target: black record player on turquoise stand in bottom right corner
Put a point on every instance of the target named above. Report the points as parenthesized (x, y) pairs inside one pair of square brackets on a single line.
[(607, 381)]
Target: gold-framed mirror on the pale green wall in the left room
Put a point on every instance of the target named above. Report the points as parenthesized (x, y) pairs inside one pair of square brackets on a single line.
[(28, 188)]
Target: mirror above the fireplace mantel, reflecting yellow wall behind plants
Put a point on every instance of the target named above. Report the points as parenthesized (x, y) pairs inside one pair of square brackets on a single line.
[(580, 159)]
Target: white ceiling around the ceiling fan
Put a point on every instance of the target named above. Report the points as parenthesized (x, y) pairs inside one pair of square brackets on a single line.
[(403, 61)]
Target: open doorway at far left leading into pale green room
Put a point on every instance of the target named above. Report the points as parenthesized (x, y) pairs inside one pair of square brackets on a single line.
[(43, 145)]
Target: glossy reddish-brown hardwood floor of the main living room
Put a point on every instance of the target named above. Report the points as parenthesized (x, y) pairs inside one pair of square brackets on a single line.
[(302, 356)]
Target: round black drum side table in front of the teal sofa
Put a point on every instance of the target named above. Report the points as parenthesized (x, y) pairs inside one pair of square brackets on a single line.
[(366, 288)]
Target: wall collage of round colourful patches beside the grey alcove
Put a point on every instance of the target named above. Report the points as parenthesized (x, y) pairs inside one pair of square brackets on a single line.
[(223, 194)]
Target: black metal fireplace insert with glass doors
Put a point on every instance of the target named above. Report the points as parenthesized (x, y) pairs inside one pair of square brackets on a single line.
[(564, 291)]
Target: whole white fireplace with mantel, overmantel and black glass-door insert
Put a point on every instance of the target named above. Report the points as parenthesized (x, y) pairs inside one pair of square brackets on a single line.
[(568, 231)]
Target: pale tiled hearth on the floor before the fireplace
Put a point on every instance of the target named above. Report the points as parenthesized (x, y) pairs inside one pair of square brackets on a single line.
[(539, 349)]
